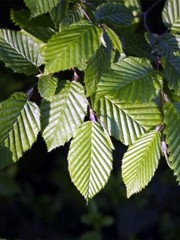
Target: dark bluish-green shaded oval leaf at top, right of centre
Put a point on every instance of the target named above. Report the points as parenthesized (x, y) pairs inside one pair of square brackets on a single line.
[(114, 14)]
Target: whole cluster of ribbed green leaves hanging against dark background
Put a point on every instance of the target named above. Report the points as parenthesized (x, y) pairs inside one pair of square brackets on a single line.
[(125, 84)]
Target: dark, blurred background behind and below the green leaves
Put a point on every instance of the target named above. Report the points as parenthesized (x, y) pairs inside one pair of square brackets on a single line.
[(38, 200)]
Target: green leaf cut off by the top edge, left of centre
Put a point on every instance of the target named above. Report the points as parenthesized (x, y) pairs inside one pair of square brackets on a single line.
[(39, 7)]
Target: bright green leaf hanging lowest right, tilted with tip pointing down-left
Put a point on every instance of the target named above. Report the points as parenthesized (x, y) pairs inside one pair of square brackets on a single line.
[(140, 162)]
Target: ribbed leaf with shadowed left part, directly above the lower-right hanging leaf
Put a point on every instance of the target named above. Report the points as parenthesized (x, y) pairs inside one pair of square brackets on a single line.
[(127, 122)]
